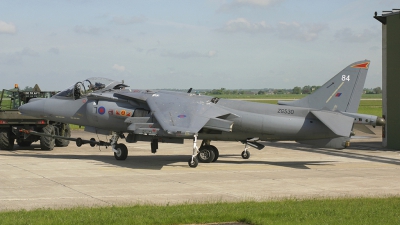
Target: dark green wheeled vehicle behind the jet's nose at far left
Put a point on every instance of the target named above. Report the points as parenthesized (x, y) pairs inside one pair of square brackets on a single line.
[(13, 123)]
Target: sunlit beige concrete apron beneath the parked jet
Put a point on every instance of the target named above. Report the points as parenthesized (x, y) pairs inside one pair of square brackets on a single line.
[(84, 176)]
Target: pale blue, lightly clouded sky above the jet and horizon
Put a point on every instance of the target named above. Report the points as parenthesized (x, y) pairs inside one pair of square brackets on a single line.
[(180, 44)]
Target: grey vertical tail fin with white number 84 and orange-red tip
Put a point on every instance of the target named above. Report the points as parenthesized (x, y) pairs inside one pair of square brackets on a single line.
[(342, 92)]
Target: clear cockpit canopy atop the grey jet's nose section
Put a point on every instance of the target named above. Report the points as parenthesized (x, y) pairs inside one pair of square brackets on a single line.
[(93, 84)]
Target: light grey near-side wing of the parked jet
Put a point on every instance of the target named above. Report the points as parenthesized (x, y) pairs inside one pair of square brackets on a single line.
[(182, 114)]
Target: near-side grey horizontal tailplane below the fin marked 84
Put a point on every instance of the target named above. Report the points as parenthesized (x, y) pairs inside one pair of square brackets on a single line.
[(339, 124)]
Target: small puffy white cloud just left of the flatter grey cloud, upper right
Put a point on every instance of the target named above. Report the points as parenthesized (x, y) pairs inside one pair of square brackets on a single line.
[(243, 25)]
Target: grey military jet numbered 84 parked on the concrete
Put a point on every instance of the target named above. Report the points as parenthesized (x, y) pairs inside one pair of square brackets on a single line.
[(322, 119)]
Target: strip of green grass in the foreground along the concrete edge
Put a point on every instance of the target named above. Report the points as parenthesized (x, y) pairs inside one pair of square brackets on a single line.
[(292, 211)]
